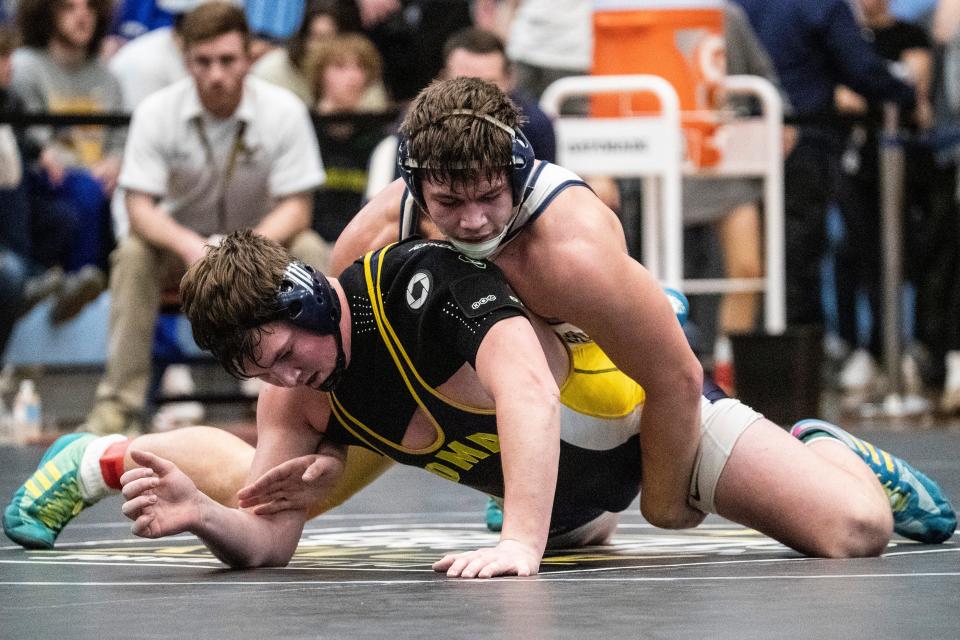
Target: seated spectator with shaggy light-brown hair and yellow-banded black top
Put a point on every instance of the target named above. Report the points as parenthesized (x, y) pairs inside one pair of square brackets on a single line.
[(344, 69)]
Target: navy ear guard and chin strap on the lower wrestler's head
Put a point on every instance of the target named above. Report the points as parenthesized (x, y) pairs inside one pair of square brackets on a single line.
[(307, 300)]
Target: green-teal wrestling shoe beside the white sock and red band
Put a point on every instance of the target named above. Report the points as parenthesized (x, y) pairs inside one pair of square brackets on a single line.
[(50, 498)]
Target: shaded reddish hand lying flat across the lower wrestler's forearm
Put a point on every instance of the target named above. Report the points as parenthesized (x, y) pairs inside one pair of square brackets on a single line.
[(295, 484)]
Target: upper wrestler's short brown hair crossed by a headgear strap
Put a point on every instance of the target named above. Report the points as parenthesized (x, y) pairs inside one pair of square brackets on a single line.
[(460, 149)]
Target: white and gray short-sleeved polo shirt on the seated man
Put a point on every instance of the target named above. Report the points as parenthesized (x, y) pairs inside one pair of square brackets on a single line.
[(180, 153)]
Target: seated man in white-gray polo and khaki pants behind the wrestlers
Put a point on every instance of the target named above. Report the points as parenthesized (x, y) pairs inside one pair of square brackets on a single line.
[(212, 153)]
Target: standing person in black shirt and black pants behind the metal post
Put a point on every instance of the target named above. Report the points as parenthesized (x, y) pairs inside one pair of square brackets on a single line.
[(859, 259)]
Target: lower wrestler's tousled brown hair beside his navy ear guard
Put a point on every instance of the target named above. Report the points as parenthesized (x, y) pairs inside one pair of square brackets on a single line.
[(230, 293)]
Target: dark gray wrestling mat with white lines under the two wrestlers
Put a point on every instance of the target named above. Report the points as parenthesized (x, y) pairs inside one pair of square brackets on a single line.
[(363, 571)]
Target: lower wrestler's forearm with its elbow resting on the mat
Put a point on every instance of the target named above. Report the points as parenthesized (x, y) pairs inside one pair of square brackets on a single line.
[(242, 540)]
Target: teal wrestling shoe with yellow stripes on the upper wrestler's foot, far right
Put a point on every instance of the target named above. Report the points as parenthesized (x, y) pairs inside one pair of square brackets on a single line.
[(920, 510)]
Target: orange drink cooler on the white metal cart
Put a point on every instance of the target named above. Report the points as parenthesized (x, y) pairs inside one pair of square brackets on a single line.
[(681, 41)]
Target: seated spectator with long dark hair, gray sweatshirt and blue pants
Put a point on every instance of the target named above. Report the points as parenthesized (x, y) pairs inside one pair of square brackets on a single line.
[(57, 71)]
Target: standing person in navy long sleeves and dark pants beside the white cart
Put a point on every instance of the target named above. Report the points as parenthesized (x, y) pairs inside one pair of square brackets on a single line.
[(816, 45)]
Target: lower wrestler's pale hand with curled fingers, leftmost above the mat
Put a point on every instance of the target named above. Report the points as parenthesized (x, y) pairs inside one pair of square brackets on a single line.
[(160, 499)]
